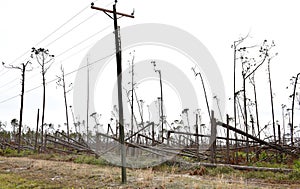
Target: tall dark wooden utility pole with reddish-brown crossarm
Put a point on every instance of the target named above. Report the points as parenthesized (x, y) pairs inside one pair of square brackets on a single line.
[(119, 75)]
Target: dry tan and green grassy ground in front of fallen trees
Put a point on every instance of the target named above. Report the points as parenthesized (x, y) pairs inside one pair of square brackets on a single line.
[(33, 173)]
